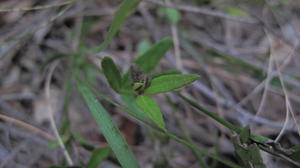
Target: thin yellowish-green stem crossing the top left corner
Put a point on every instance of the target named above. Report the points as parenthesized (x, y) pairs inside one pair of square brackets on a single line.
[(38, 7)]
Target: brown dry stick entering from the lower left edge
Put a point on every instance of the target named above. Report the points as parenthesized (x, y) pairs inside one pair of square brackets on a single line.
[(28, 127)]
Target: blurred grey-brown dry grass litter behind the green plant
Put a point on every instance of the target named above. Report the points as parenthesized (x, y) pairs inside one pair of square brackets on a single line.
[(247, 53)]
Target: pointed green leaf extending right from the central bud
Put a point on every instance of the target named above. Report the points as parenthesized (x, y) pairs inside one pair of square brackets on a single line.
[(168, 83)]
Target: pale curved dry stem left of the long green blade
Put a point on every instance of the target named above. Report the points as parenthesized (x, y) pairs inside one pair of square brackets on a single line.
[(51, 117)]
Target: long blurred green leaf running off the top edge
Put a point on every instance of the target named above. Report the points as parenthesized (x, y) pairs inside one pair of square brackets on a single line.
[(124, 11)]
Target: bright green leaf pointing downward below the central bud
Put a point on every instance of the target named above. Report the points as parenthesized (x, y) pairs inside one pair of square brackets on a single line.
[(152, 110)]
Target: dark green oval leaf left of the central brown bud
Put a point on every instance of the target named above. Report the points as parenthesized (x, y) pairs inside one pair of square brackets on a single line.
[(112, 73)]
